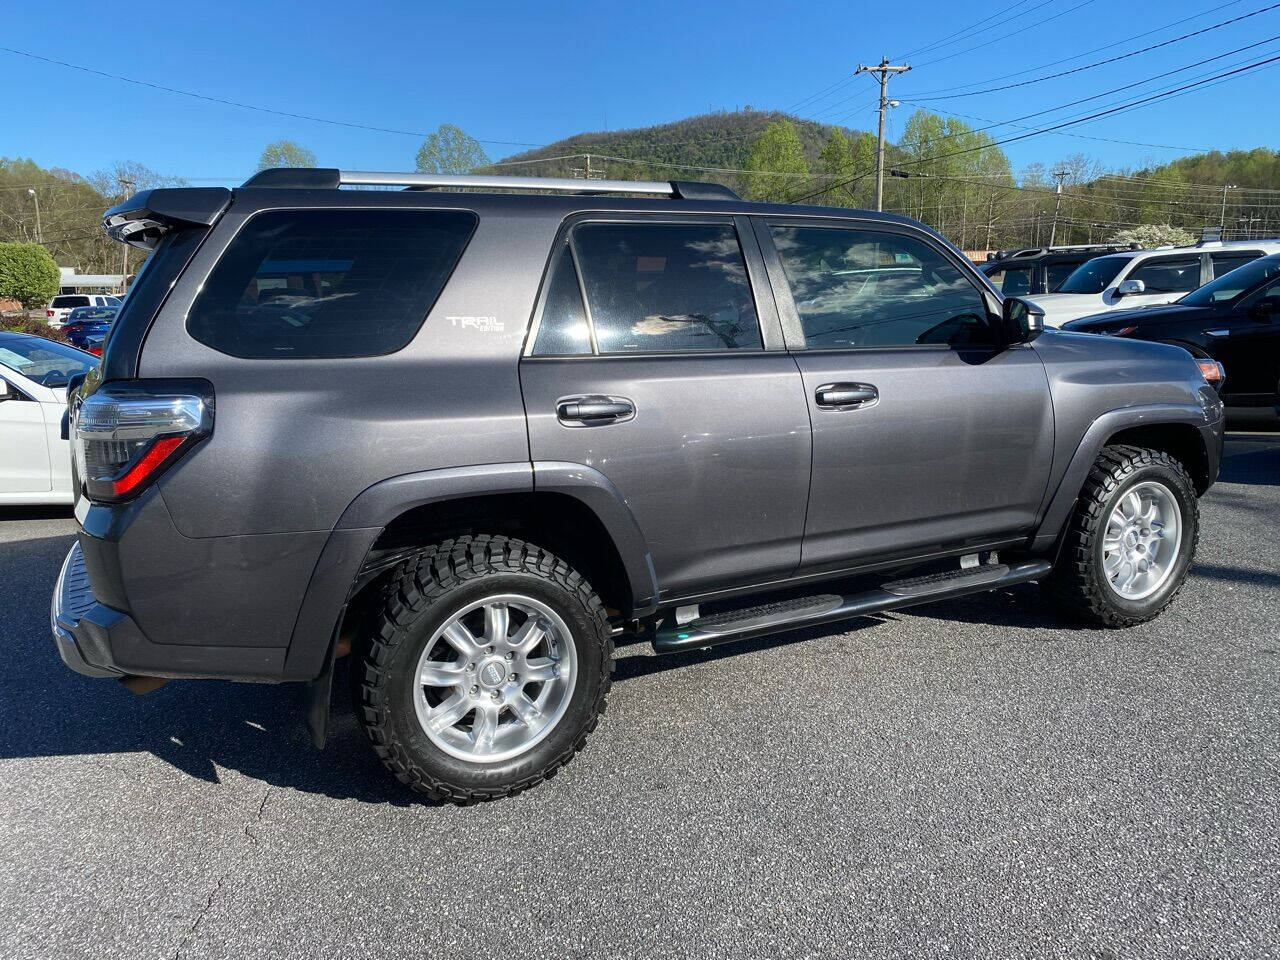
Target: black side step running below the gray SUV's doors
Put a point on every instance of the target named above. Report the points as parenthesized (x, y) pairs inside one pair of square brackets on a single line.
[(825, 609)]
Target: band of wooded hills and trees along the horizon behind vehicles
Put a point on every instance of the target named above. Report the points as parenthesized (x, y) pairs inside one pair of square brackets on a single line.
[(941, 171)]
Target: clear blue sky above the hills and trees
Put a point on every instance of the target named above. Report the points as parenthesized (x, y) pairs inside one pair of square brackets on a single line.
[(532, 74)]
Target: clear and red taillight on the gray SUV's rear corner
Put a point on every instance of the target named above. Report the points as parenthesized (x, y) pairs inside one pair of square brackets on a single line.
[(125, 436)]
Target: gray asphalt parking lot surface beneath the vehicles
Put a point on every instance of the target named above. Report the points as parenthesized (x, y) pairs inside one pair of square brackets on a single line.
[(972, 779)]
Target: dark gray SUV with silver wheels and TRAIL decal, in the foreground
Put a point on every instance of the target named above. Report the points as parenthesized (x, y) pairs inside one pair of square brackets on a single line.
[(477, 431)]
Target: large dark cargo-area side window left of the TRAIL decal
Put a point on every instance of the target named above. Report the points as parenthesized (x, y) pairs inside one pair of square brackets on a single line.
[(328, 284)]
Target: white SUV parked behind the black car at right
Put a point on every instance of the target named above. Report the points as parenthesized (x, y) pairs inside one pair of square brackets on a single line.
[(1145, 277)]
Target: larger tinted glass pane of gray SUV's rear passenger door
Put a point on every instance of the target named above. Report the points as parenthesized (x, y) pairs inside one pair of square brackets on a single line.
[(666, 287)]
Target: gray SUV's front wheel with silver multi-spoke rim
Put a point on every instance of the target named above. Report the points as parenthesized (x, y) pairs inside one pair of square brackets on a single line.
[(1131, 540)]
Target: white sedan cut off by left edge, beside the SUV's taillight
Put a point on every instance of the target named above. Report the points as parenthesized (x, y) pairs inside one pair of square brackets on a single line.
[(35, 460)]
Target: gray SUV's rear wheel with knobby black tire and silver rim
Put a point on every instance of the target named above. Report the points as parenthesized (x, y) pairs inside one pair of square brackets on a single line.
[(487, 669)]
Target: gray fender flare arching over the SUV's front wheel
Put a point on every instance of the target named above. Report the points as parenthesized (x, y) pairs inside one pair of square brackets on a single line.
[(1109, 424)]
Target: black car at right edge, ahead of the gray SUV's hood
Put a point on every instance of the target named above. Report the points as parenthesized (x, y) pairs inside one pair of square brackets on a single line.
[(1235, 321)]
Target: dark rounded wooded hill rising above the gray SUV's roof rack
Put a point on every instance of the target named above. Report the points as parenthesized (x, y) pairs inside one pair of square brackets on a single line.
[(719, 140)]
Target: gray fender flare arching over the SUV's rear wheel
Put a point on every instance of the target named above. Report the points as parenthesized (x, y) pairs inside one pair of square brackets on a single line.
[(365, 518)]
